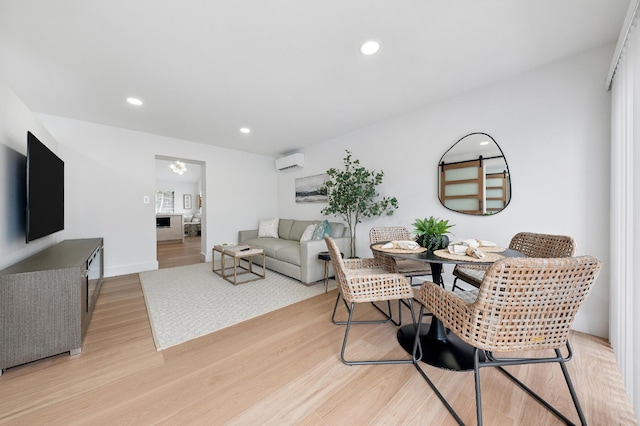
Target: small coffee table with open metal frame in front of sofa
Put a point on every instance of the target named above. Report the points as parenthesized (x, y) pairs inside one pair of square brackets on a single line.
[(238, 253)]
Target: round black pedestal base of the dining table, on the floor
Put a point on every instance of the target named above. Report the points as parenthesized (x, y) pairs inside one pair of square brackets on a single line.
[(440, 347)]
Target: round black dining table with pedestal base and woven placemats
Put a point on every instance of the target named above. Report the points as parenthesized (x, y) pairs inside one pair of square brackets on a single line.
[(440, 347)]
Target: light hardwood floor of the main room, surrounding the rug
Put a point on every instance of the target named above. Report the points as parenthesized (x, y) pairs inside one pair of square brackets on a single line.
[(281, 368)]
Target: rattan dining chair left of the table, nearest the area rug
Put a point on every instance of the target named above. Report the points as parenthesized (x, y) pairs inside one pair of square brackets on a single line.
[(362, 281)]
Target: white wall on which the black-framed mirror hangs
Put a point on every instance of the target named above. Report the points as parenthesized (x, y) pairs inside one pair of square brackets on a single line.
[(553, 125)]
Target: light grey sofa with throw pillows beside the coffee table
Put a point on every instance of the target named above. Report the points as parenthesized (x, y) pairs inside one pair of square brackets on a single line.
[(291, 257)]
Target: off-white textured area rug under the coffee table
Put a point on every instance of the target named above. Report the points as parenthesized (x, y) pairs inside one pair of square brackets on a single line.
[(190, 301)]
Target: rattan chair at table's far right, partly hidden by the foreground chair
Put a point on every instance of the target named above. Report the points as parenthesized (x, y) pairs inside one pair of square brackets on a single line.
[(527, 243)]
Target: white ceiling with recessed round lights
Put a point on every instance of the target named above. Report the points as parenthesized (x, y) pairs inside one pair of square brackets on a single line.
[(290, 70)]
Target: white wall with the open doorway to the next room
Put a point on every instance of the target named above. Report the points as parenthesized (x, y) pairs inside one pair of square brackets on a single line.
[(111, 170)]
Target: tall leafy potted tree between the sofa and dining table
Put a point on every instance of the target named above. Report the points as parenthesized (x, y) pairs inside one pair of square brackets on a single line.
[(352, 195)]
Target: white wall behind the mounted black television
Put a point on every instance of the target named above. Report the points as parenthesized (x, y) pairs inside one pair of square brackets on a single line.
[(15, 121)]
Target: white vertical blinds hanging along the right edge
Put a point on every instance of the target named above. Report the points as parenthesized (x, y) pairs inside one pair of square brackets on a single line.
[(624, 81)]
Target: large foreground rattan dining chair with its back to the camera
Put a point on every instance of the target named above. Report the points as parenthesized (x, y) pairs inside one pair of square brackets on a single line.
[(523, 304)]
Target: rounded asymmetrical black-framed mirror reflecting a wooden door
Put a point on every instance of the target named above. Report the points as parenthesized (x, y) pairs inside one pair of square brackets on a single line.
[(474, 176)]
